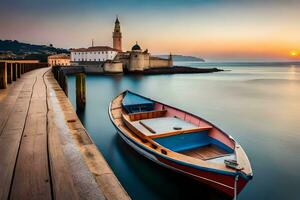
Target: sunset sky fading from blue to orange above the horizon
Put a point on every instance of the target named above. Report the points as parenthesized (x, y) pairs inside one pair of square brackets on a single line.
[(212, 29)]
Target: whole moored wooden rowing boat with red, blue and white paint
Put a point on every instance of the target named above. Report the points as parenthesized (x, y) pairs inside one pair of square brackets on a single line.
[(181, 141)]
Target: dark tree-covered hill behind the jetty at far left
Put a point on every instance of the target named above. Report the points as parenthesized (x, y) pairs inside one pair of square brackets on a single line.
[(13, 49)]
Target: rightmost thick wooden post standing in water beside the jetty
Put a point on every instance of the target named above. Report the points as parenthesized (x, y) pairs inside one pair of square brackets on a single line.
[(80, 90)]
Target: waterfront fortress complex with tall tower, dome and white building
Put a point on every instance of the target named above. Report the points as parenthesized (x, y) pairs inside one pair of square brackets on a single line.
[(114, 60)]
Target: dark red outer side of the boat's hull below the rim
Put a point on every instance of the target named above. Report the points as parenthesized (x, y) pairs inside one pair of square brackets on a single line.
[(221, 182)]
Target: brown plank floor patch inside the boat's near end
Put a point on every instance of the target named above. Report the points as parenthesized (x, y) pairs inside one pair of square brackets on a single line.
[(205, 153)]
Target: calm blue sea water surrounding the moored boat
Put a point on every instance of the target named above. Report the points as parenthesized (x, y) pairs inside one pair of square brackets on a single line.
[(259, 105)]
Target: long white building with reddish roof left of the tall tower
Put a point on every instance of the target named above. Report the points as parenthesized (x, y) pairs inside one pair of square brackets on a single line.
[(93, 54)]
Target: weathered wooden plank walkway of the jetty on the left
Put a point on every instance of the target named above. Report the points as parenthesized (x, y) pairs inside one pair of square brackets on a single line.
[(45, 152)]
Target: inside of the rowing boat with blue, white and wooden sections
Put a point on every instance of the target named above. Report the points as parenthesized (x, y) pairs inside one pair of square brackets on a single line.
[(175, 130)]
